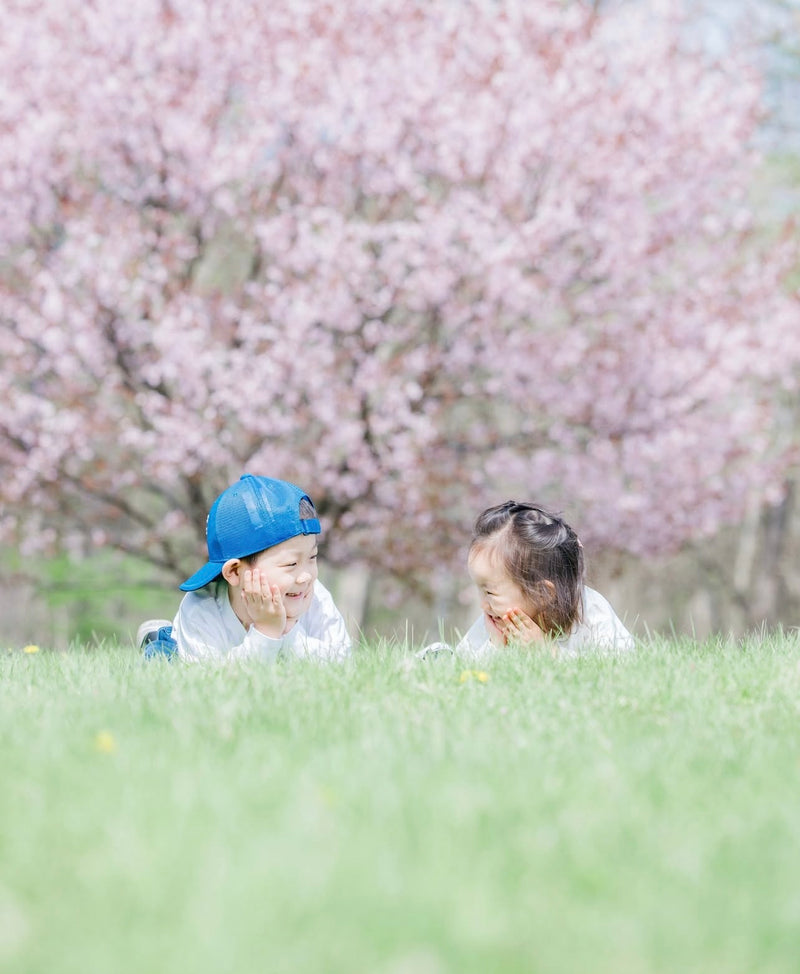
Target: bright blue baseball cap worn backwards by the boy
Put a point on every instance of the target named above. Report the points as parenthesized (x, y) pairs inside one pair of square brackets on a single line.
[(254, 514)]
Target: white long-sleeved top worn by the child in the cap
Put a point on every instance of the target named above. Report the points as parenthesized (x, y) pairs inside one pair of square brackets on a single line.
[(207, 628)]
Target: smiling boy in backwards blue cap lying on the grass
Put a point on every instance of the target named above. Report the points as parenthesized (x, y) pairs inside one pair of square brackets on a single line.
[(258, 594)]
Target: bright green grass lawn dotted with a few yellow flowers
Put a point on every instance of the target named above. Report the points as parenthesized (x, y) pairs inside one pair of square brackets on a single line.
[(384, 816)]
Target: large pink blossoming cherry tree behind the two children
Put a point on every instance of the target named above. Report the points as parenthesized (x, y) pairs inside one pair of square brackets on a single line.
[(414, 255)]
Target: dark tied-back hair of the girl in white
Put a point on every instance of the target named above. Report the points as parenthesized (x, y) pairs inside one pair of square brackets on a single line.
[(537, 546)]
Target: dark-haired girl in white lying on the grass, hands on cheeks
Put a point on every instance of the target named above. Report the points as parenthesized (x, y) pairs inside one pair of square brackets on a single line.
[(528, 566)]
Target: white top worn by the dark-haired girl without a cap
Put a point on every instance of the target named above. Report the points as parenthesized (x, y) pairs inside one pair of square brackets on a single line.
[(599, 630)]
